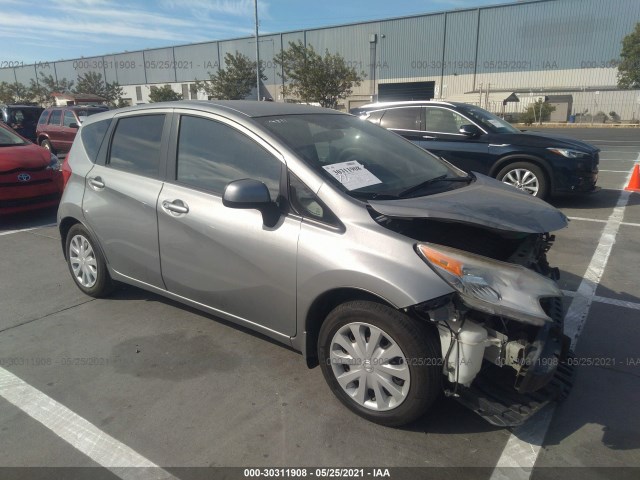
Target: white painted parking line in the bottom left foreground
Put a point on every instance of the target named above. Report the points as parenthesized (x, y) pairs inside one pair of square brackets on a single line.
[(78, 432)]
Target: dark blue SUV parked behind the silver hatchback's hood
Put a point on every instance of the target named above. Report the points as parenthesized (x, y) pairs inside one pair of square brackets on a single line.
[(475, 140)]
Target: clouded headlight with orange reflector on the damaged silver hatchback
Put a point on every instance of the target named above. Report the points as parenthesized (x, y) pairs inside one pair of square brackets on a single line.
[(491, 286)]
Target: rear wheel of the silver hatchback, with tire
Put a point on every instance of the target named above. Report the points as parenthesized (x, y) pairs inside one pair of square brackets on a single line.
[(86, 263)]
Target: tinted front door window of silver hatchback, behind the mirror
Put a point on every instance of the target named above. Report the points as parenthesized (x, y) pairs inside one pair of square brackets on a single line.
[(211, 154)]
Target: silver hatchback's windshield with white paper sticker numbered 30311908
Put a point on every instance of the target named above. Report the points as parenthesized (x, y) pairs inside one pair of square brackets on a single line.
[(361, 159)]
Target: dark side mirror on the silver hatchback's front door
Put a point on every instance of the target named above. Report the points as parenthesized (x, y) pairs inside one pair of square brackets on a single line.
[(251, 194)]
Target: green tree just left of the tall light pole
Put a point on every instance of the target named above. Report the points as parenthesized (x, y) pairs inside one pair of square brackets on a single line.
[(233, 83)]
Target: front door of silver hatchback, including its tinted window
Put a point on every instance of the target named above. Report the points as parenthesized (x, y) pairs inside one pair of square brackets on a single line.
[(224, 258)]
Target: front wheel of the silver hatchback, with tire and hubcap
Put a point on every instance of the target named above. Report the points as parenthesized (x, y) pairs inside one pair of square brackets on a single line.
[(392, 341)]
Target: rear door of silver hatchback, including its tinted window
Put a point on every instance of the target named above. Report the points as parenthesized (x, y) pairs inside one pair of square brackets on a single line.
[(122, 191)]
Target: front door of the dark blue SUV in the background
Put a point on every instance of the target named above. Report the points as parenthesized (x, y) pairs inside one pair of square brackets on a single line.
[(441, 136)]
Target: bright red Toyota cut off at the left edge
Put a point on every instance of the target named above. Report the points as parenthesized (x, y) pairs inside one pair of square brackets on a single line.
[(30, 176)]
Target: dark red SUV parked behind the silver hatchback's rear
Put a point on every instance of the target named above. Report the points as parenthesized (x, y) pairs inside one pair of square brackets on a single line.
[(57, 126)]
